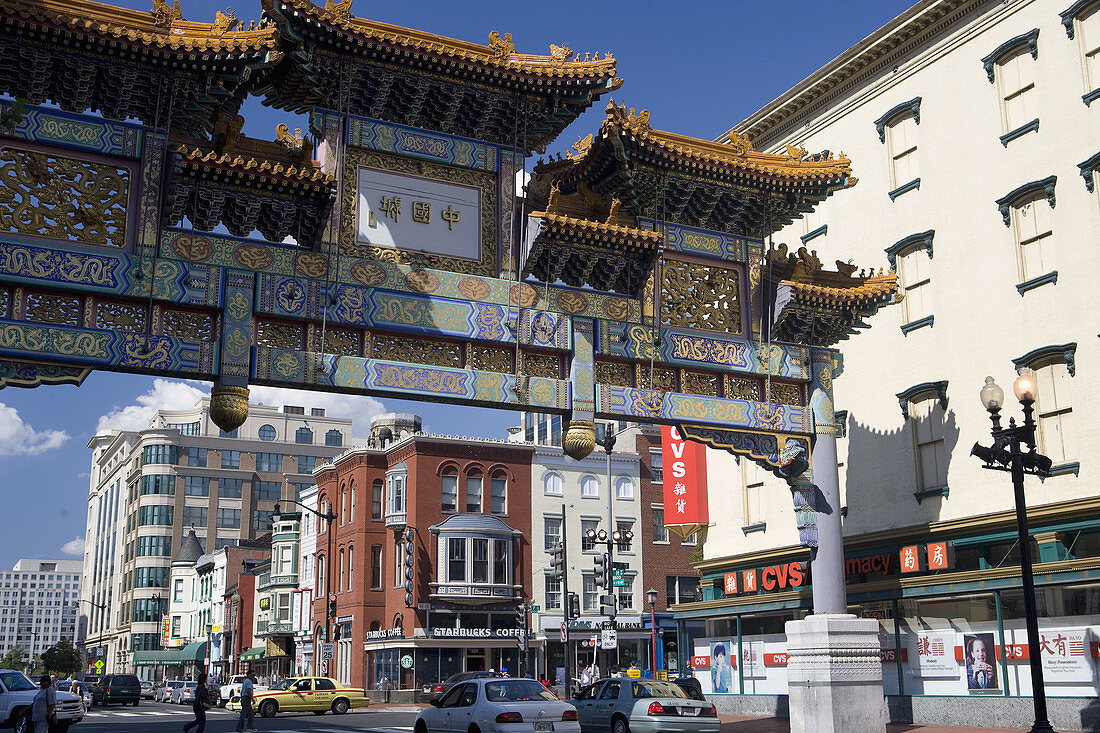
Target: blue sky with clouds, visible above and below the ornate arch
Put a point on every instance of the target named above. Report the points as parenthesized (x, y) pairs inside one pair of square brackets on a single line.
[(699, 68)]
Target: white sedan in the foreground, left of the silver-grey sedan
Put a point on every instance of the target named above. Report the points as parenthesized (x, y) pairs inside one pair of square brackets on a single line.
[(499, 706)]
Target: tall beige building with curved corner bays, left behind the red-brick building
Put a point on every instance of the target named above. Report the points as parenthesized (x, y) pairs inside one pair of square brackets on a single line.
[(150, 488)]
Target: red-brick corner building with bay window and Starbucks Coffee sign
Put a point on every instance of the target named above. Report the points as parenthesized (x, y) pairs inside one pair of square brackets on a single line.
[(467, 505)]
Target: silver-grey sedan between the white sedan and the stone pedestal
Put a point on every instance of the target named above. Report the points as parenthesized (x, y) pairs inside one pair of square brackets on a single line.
[(643, 706)]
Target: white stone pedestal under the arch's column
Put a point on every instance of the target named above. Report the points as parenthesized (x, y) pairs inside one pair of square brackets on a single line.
[(835, 675)]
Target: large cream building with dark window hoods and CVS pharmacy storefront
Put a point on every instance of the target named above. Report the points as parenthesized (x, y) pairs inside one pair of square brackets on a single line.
[(974, 130)]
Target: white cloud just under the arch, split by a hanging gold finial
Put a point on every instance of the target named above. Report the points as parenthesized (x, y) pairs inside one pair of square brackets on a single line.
[(170, 395)]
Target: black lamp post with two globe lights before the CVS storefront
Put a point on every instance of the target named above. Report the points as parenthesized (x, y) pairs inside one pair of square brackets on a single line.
[(1007, 454)]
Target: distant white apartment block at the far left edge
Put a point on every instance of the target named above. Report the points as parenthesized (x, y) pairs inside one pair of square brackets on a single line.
[(39, 605)]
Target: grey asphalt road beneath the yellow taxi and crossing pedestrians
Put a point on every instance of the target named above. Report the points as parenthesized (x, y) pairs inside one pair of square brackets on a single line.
[(163, 718)]
